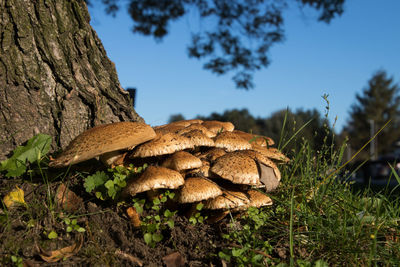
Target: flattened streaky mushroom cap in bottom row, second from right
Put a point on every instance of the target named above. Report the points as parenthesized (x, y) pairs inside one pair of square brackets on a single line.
[(229, 199)]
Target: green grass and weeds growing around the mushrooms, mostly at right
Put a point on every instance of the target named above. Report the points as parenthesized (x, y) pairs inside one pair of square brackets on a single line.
[(317, 220)]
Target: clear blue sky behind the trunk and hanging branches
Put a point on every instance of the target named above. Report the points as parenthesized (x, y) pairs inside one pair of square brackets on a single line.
[(315, 59)]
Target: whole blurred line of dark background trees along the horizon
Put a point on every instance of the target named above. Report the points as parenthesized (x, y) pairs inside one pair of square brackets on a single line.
[(378, 103)]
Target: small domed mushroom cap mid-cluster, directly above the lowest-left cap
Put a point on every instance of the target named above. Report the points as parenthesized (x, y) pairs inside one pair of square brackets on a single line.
[(182, 160)]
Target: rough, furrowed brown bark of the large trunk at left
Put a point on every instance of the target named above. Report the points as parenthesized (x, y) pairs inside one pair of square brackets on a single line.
[(55, 76)]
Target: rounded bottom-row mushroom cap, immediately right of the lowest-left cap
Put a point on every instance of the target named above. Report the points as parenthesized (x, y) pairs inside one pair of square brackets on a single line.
[(197, 189)]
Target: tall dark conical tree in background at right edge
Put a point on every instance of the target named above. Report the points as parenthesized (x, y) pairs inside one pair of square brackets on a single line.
[(378, 103)]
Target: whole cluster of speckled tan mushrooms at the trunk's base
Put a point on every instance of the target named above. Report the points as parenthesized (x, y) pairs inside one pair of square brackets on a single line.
[(204, 161)]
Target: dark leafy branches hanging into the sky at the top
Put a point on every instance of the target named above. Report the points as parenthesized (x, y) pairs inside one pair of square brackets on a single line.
[(237, 35)]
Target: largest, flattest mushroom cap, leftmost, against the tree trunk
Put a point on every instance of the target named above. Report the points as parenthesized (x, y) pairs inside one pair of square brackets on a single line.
[(102, 139)]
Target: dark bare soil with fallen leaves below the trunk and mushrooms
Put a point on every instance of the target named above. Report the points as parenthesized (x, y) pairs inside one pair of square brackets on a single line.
[(110, 238)]
